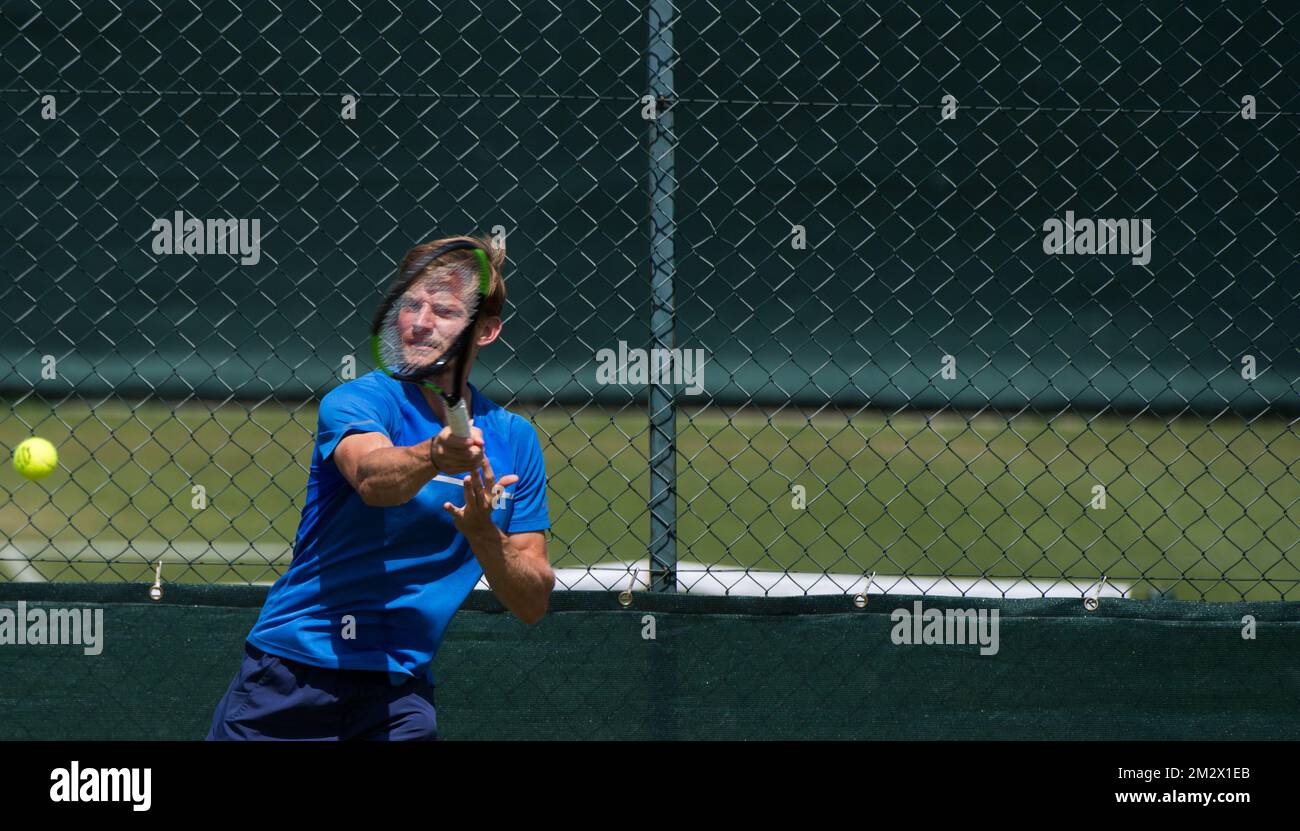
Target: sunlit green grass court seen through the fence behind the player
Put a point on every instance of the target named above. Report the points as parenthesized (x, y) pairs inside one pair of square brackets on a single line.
[(986, 496)]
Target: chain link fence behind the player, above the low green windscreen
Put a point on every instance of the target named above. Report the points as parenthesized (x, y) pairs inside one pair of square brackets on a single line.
[(989, 302)]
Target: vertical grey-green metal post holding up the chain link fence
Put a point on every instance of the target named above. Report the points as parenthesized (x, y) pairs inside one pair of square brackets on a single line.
[(664, 409)]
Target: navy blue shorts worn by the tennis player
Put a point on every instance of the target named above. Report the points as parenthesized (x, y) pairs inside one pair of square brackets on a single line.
[(275, 698)]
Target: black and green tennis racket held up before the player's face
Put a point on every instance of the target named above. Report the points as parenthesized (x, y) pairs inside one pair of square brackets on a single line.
[(422, 331)]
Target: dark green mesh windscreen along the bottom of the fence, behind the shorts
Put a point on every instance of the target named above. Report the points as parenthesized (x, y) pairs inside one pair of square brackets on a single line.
[(717, 669)]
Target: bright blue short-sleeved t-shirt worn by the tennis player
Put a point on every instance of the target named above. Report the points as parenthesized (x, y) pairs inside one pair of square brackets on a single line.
[(375, 588)]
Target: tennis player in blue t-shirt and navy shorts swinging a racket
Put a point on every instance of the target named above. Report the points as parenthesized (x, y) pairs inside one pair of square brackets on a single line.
[(401, 521)]
